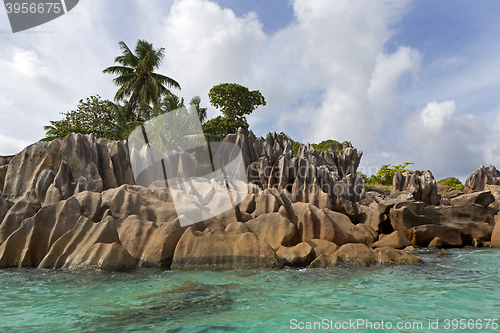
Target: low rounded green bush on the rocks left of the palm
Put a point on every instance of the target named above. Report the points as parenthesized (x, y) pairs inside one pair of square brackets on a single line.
[(93, 115)]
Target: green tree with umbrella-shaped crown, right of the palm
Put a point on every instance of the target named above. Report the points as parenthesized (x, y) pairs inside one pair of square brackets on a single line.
[(235, 102)]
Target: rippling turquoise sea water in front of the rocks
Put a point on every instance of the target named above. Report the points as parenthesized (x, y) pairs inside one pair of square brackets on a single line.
[(464, 285)]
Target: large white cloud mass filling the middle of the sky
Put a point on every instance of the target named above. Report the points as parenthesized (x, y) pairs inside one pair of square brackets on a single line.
[(329, 62)]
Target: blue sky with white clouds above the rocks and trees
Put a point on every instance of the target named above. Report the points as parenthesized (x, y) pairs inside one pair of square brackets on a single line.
[(404, 81)]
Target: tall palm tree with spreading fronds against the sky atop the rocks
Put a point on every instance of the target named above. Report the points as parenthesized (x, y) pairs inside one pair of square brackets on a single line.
[(136, 77)]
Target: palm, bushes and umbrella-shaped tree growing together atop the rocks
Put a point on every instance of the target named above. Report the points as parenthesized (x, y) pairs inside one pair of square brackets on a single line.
[(144, 94)]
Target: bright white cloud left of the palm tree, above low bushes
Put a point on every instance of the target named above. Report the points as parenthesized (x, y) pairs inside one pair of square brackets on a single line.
[(47, 70)]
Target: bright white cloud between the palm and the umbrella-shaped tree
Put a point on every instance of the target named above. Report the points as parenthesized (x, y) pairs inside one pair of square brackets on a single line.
[(207, 45)]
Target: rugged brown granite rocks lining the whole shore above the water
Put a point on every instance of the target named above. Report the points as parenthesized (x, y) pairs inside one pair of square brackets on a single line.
[(74, 203)]
